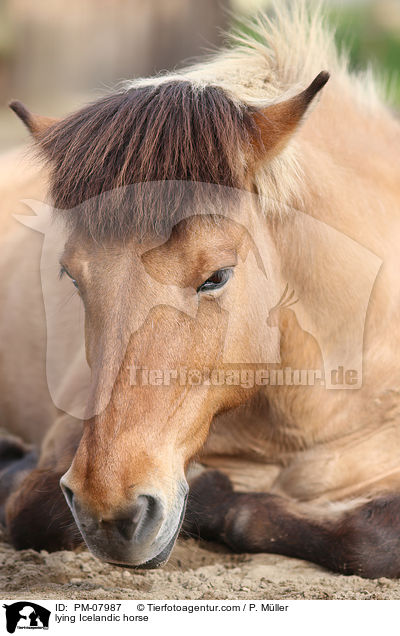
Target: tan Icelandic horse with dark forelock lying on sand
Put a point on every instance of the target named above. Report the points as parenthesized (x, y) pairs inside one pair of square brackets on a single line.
[(247, 210)]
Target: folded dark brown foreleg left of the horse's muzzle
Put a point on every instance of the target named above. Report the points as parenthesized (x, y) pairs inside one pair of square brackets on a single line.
[(36, 513)]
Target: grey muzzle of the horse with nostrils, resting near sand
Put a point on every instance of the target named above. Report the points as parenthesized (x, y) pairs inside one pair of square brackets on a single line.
[(142, 536)]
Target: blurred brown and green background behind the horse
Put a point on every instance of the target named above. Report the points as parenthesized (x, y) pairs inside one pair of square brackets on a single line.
[(56, 55)]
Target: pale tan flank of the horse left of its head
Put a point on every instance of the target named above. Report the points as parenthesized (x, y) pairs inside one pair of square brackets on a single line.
[(26, 407)]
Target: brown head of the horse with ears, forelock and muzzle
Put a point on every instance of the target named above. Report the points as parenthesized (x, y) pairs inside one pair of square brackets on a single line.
[(158, 289)]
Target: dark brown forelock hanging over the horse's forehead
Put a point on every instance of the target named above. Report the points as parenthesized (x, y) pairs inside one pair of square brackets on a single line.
[(170, 132)]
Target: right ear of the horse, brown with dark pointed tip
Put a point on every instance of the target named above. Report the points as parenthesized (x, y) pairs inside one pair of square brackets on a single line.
[(277, 122)]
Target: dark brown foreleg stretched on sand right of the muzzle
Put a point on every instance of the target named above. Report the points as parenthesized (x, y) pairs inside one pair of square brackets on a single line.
[(355, 538)]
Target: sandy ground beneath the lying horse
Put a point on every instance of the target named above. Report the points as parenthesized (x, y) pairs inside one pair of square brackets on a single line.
[(195, 571)]
